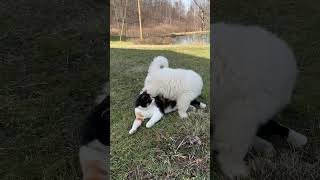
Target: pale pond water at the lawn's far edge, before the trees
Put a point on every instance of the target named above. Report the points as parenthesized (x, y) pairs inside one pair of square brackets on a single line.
[(193, 38)]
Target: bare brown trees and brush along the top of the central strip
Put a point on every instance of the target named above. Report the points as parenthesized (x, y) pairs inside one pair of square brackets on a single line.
[(158, 17)]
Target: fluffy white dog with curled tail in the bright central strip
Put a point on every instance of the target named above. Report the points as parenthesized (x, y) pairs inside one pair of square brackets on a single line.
[(178, 85)]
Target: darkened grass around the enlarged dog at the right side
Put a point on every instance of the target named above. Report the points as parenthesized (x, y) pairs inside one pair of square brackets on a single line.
[(297, 22)]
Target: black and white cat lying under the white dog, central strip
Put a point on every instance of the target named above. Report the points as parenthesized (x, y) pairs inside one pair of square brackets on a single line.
[(154, 108)]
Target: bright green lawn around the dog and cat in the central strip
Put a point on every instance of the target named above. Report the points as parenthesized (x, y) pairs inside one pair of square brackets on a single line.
[(165, 149)]
